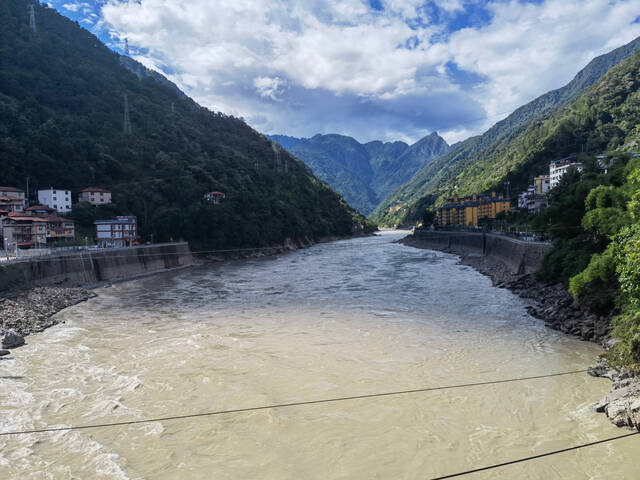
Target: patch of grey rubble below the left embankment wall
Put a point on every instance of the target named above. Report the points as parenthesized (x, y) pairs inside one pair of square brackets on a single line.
[(33, 310)]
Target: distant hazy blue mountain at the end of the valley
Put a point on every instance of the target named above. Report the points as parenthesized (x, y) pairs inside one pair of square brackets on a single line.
[(364, 173)]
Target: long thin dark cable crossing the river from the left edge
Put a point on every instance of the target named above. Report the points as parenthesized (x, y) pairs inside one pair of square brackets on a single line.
[(283, 405)]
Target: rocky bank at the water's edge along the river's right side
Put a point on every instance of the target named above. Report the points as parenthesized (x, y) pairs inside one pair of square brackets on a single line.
[(556, 307)]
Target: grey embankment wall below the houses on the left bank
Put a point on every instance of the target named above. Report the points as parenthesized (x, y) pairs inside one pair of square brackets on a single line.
[(91, 267)]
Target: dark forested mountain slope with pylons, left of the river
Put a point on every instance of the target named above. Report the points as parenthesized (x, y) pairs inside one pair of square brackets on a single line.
[(62, 96)]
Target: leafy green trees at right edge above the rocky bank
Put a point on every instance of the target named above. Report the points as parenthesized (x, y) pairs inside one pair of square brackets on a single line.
[(597, 248)]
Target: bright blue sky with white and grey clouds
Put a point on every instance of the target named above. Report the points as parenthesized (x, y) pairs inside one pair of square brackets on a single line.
[(372, 69)]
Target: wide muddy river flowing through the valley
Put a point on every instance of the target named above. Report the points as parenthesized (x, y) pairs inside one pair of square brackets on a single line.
[(339, 319)]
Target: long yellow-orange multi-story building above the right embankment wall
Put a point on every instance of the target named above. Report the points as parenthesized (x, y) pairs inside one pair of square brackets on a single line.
[(473, 210)]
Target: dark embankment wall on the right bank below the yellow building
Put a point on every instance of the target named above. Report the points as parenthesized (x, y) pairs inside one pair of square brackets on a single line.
[(518, 256)]
